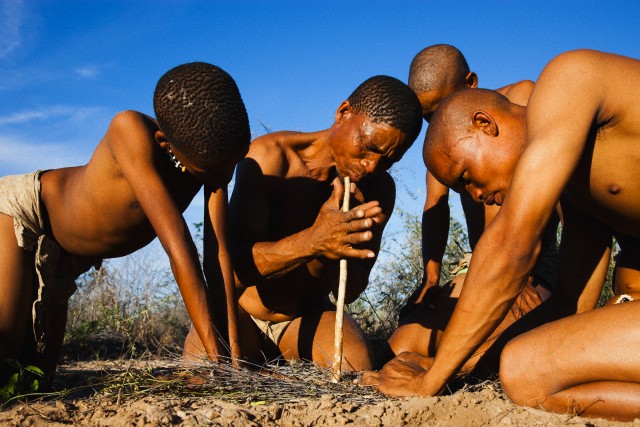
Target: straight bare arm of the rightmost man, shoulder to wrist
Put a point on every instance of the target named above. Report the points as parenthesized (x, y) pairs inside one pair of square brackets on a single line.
[(559, 118)]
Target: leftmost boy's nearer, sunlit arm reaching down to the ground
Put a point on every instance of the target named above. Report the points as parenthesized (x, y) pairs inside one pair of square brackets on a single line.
[(134, 150)]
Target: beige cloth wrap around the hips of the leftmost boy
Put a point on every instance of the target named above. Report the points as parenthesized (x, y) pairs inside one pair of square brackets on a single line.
[(56, 269)]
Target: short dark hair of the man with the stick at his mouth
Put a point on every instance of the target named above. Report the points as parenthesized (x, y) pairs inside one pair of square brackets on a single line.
[(387, 100)]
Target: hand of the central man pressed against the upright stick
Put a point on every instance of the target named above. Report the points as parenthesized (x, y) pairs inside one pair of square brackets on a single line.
[(334, 233)]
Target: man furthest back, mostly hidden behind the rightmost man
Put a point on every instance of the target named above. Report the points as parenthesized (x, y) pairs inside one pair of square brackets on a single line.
[(435, 73)]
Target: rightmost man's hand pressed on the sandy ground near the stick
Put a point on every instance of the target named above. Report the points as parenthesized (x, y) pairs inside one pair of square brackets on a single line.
[(398, 377)]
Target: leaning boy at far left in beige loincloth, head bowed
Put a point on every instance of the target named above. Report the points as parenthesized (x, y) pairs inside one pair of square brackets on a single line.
[(56, 224)]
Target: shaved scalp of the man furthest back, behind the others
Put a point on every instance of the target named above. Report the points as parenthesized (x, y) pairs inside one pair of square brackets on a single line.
[(437, 66)]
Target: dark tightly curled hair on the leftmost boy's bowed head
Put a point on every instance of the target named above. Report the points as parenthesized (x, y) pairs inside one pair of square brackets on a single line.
[(199, 108)]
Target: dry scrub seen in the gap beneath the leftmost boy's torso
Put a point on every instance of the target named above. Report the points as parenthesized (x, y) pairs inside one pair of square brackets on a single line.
[(126, 308)]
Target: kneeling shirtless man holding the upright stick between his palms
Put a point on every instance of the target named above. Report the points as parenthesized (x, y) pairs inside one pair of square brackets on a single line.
[(289, 234)]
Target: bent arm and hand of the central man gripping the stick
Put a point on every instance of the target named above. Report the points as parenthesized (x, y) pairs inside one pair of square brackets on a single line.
[(332, 235)]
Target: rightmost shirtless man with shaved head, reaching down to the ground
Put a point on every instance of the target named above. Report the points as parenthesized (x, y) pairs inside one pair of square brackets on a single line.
[(579, 144)]
